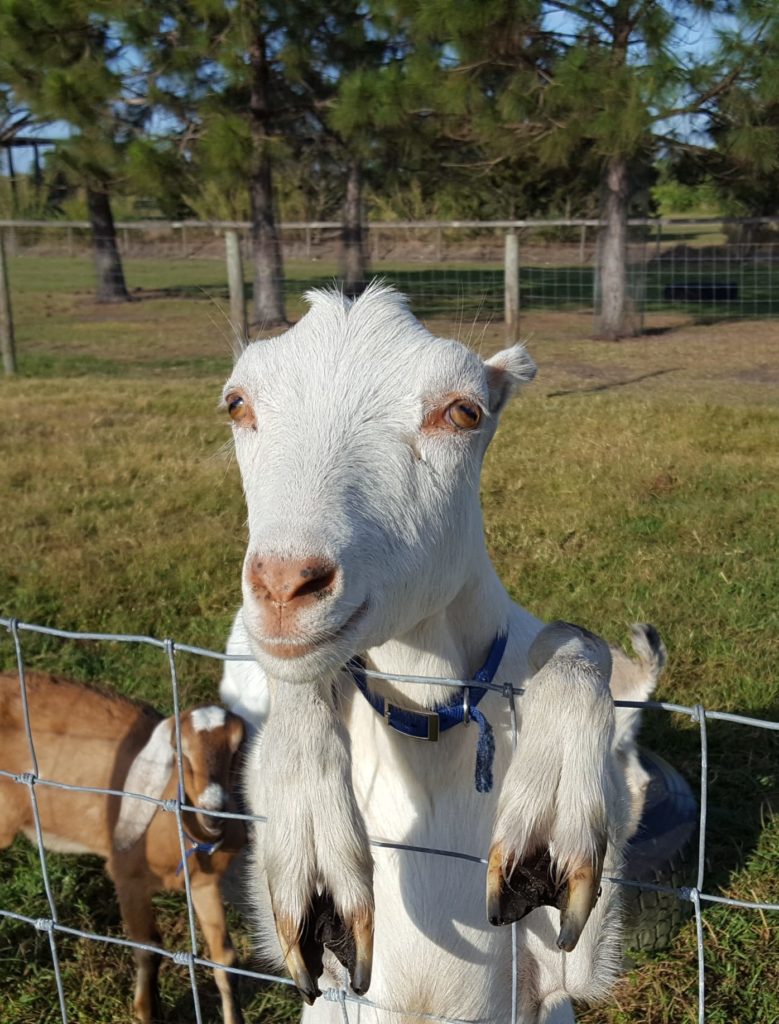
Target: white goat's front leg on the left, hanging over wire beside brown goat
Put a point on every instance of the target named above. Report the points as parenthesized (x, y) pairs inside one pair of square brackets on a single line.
[(315, 847)]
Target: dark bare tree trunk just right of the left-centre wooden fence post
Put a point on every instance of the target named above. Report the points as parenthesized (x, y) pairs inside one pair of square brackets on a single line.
[(267, 250)]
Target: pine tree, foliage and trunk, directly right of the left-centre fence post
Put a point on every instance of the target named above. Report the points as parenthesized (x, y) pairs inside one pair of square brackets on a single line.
[(238, 79)]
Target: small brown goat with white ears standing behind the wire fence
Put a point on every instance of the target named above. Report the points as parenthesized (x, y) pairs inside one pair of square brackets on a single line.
[(84, 737)]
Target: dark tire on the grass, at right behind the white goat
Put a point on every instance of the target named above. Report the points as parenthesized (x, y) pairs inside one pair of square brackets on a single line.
[(663, 852)]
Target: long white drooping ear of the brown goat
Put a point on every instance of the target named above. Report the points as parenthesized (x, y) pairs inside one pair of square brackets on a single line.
[(149, 775)]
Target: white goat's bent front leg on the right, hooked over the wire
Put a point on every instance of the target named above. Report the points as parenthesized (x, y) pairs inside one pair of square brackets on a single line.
[(553, 827)]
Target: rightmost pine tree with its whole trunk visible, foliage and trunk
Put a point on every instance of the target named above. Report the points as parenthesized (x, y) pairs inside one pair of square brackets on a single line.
[(598, 88)]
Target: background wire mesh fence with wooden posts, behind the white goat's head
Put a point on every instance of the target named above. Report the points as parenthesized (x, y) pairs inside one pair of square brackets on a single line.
[(706, 269)]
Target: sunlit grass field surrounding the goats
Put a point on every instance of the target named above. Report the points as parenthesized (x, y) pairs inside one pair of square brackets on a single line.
[(633, 482)]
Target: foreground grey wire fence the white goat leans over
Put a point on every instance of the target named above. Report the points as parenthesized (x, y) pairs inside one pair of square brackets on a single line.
[(191, 958)]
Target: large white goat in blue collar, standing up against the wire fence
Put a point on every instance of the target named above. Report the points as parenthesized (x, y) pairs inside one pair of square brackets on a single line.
[(360, 439)]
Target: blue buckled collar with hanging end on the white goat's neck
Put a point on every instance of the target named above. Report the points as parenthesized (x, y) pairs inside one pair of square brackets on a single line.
[(429, 724)]
